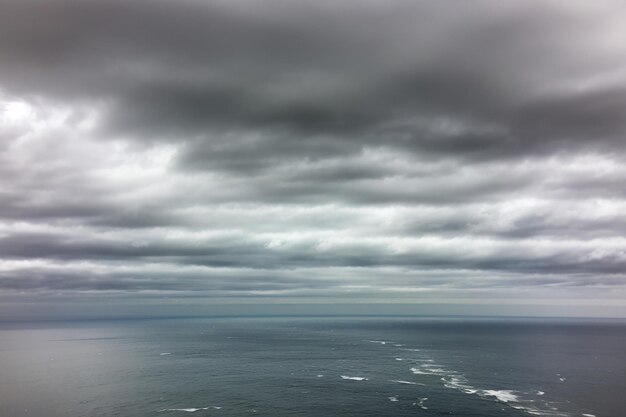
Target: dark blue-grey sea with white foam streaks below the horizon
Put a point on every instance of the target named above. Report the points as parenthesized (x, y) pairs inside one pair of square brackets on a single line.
[(314, 367)]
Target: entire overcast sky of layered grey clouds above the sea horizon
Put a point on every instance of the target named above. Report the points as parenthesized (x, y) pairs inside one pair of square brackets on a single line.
[(171, 157)]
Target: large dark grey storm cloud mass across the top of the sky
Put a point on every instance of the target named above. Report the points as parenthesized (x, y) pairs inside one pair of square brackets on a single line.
[(319, 80)]
